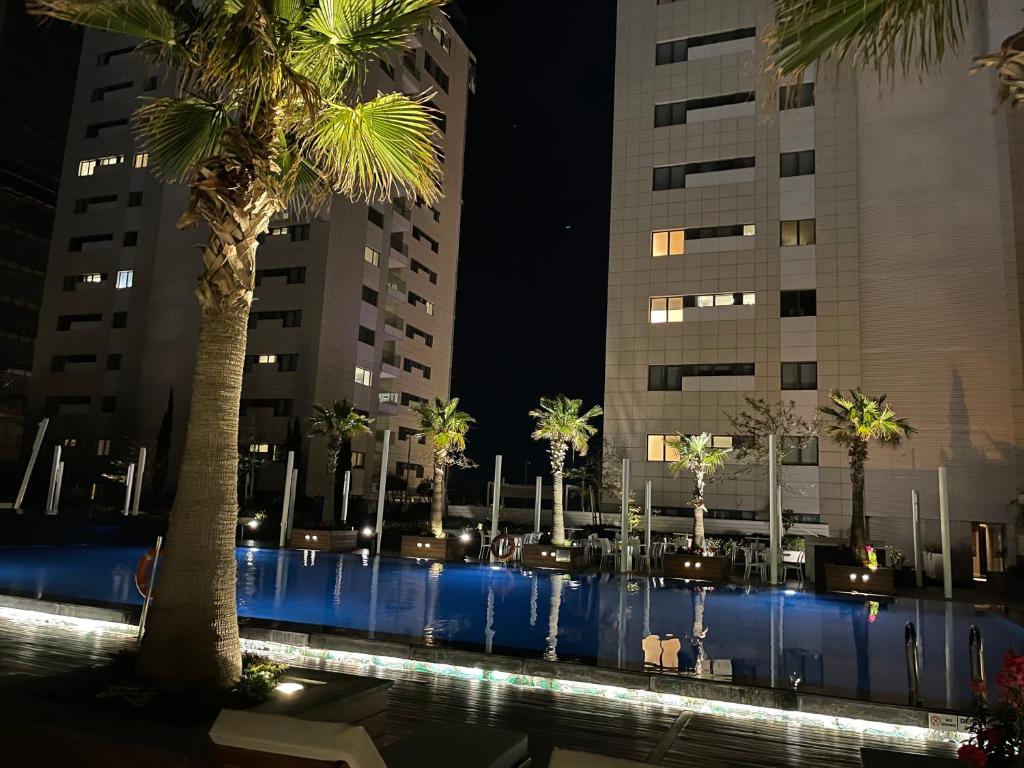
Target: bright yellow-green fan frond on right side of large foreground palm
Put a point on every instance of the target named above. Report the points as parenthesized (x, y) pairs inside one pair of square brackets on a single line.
[(368, 150)]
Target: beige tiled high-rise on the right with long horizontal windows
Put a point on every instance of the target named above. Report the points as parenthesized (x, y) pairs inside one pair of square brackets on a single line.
[(836, 234)]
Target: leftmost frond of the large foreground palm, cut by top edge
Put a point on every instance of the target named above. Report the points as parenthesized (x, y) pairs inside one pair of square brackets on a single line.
[(147, 20)]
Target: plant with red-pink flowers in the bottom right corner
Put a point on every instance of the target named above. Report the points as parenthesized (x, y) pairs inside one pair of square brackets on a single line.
[(997, 732)]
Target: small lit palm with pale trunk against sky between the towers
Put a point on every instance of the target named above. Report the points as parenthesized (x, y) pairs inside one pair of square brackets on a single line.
[(560, 422)]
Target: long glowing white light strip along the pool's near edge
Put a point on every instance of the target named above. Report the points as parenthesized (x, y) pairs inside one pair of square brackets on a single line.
[(296, 655)]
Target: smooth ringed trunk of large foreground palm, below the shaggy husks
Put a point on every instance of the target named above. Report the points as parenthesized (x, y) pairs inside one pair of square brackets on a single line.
[(193, 631)]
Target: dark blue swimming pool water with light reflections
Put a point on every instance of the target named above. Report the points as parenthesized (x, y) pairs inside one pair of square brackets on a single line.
[(833, 645)]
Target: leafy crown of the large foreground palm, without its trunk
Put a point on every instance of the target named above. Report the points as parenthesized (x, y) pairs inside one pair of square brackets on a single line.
[(280, 81)]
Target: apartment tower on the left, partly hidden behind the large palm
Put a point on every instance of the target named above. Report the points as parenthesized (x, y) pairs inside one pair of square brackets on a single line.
[(355, 304)]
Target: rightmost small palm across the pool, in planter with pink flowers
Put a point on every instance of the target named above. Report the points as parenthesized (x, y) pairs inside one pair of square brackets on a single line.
[(857, 420)]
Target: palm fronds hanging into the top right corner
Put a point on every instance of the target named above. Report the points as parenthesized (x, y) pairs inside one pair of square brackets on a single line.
[(890, 36)]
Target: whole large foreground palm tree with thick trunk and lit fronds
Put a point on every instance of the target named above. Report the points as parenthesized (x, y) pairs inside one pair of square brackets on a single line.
[(269, 115)]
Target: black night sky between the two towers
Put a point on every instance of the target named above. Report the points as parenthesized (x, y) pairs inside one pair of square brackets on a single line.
[(533, 274)]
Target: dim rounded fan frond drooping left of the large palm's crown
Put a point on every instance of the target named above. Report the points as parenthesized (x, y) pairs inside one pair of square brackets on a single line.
[(180, 134)]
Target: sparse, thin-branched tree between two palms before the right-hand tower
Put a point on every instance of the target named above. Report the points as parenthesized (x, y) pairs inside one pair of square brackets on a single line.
[(762, 419)]
